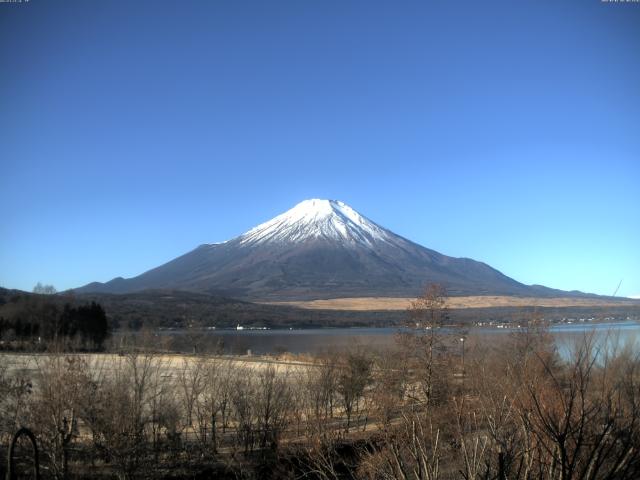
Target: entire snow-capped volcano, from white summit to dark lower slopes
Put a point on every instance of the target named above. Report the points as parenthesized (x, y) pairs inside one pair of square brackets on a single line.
[(320, 249)]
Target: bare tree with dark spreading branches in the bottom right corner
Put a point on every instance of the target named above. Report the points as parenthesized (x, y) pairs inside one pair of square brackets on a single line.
[(586, 416)]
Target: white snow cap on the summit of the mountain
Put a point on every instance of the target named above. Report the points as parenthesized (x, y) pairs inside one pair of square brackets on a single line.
[(318, 219)]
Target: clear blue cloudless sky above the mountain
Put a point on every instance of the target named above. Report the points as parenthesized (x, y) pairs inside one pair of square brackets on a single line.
[(504, 131)]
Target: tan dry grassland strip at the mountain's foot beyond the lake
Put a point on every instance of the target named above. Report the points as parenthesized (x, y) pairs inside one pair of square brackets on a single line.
[(382, 303)]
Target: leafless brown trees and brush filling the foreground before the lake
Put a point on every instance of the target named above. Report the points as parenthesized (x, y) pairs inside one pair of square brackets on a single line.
[(425, 410)]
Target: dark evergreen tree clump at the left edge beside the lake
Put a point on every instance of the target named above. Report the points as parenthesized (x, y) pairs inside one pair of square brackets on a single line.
[(33, 321)]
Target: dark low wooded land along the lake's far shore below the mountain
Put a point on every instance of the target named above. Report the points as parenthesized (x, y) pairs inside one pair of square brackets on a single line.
[(179, 309)]
